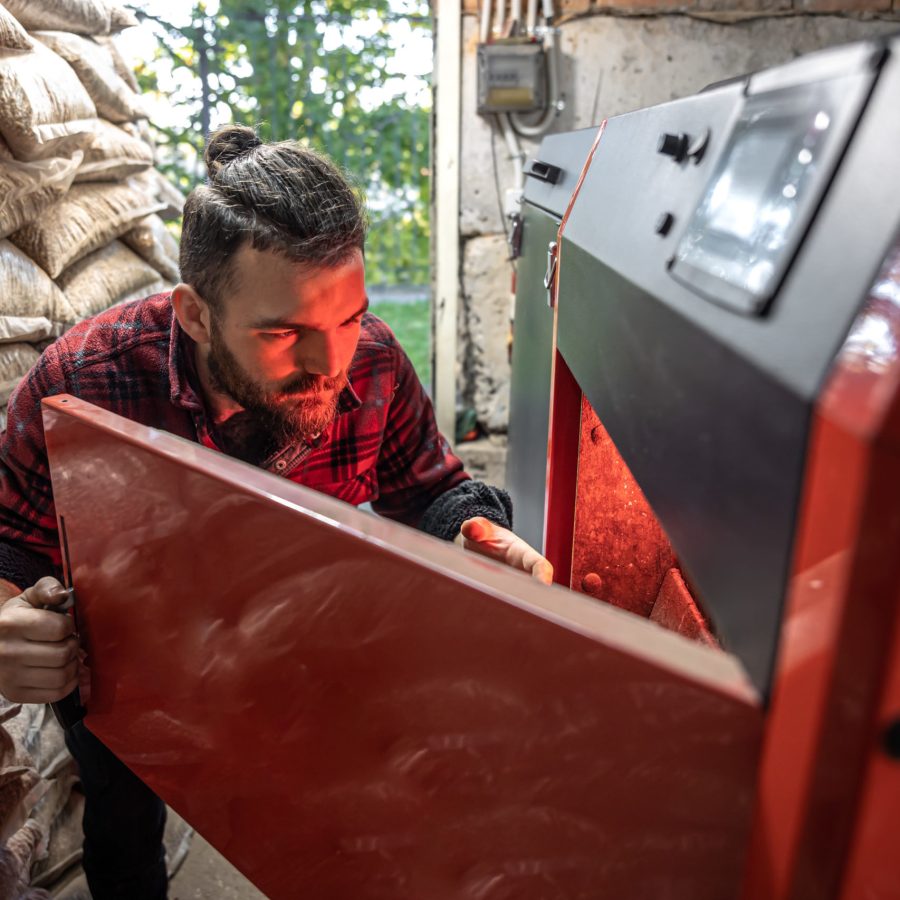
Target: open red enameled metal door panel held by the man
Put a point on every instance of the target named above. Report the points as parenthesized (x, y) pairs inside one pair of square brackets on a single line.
[(345, 707)]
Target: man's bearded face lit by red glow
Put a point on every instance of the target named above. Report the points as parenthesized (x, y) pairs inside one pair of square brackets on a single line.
[(282, 342)]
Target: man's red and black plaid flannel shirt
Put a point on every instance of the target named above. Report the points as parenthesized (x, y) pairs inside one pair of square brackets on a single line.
[(134, 360)]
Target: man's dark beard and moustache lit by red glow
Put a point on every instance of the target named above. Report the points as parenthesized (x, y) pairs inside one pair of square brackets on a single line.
[(299, 409)]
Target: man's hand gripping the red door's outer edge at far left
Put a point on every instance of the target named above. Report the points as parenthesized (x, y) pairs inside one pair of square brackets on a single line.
[(38, 647)]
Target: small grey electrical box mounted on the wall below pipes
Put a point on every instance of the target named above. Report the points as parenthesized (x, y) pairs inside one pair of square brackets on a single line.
[(512, 77)]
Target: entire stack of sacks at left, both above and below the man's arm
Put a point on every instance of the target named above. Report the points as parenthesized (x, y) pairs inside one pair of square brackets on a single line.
[(80, 230)]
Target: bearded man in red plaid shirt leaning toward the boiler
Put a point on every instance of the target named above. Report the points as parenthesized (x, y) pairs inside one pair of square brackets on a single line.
[(265, 352)]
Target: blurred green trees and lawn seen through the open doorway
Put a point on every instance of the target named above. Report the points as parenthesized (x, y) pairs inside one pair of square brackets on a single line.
[(349, 78)]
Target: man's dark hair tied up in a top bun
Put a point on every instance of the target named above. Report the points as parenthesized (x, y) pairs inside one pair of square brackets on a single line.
[(282, 197)]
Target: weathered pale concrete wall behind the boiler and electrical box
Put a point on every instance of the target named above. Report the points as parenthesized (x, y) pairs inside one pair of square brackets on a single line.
[(615, 59)]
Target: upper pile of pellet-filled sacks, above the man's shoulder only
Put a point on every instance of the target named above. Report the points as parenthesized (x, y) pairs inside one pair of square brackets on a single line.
[(80, 201)]
